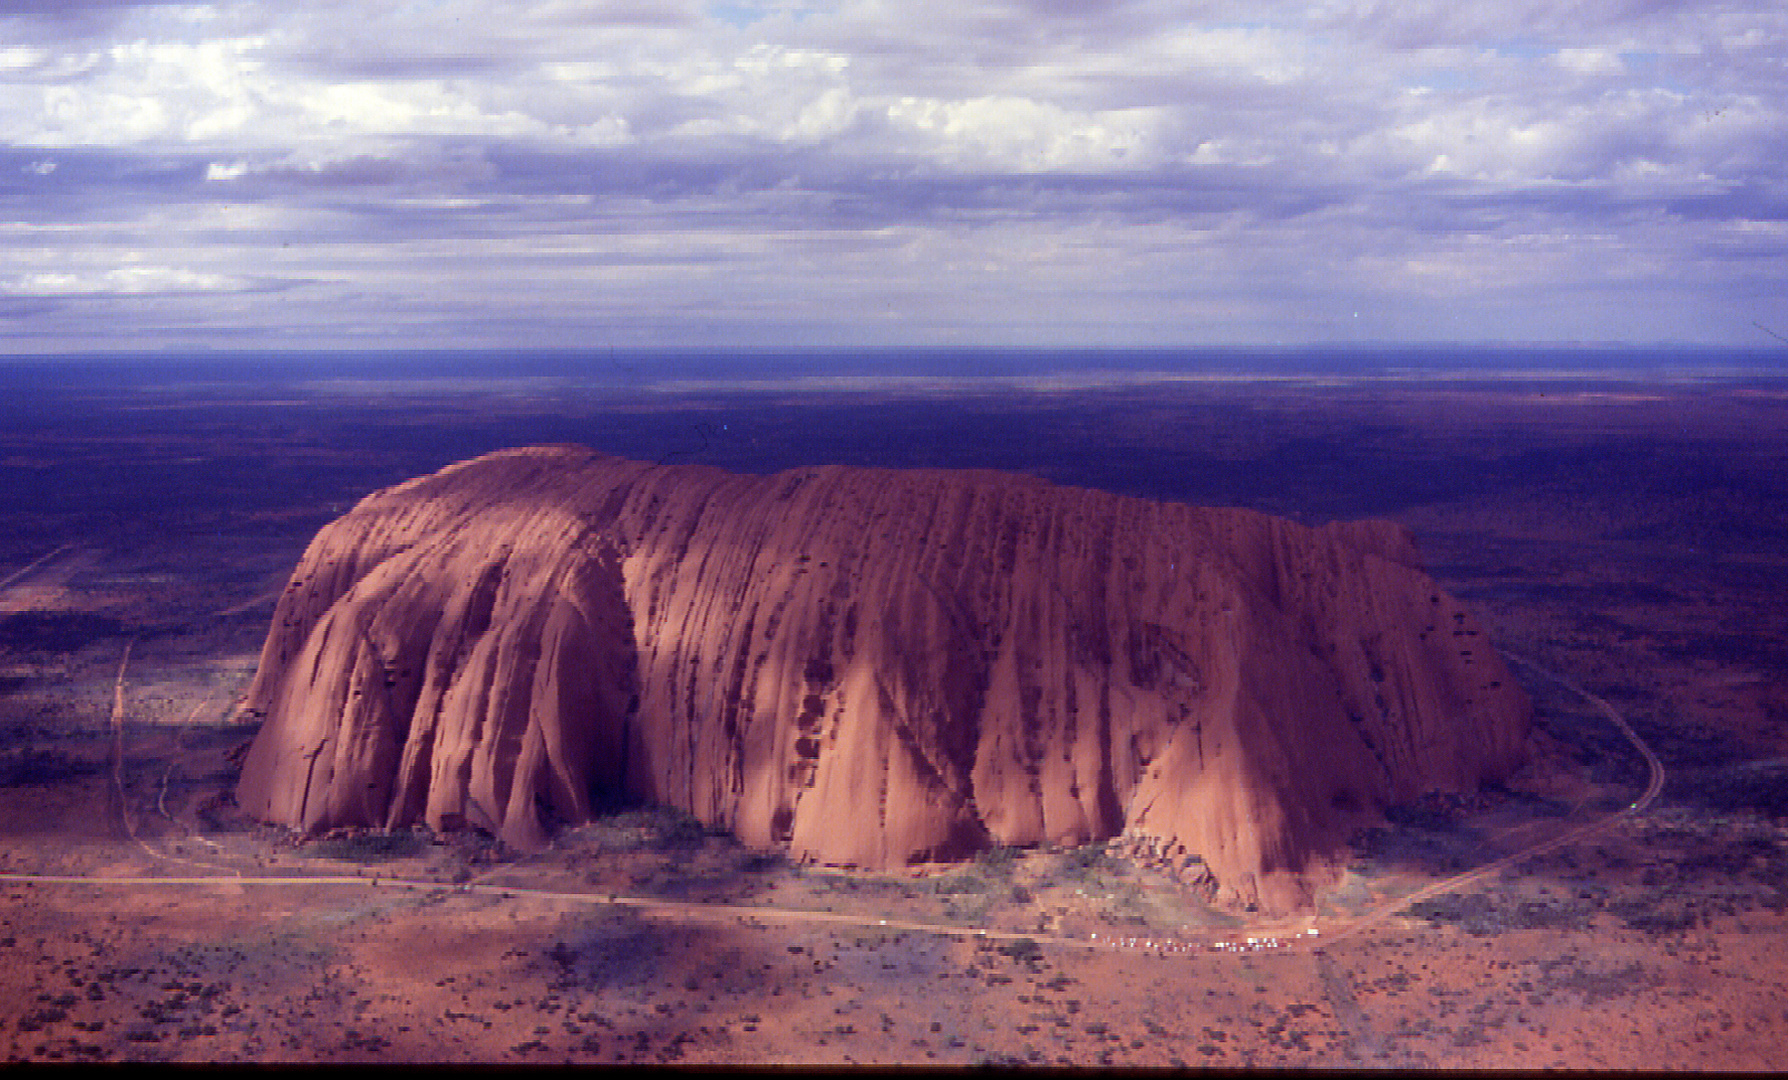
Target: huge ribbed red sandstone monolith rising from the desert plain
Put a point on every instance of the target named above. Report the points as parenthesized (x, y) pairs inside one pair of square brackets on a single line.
[(870, 668)]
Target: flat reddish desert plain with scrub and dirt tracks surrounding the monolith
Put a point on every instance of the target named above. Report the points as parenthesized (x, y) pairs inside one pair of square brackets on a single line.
[(1619, 904)]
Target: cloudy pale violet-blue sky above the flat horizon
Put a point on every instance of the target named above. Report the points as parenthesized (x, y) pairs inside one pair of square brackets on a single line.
[(1022, 173)]
